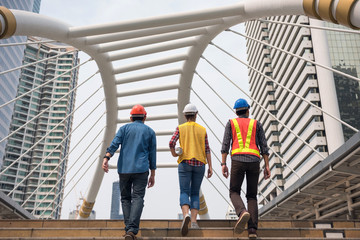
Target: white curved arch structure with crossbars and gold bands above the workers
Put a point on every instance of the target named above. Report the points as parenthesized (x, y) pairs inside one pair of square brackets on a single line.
[(189, 32)]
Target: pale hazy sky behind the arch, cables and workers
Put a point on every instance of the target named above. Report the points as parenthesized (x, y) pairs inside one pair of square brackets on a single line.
[(161, 201)]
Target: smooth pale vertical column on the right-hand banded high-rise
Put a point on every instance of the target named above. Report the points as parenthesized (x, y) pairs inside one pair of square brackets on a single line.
[(329, 101)]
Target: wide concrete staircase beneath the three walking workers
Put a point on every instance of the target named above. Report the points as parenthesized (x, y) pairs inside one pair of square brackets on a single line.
[(169, 229)]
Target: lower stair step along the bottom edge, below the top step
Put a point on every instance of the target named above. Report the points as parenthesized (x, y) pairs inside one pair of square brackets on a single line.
[(171, 232)]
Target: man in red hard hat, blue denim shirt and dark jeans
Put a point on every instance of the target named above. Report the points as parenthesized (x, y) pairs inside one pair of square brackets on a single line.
[(137, 156)]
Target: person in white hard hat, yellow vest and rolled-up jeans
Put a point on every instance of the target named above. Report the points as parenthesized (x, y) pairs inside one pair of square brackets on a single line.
[(195, 154)]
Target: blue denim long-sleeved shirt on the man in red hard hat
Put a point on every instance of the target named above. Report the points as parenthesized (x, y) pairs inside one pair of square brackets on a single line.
[(138, 148)]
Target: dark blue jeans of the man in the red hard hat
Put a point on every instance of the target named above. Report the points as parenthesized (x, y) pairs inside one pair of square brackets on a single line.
[(132, 192)]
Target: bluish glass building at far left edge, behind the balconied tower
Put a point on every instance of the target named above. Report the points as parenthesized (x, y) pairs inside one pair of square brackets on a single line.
[(11, 57)]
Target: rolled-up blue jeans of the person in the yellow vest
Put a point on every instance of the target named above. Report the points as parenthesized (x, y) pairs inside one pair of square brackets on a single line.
[(190, 178)]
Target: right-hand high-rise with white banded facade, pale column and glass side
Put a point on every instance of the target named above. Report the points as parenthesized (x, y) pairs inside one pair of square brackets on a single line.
[(293, 124)]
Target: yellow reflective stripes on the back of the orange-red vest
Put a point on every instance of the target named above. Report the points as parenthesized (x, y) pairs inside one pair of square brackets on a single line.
[(245, 148)]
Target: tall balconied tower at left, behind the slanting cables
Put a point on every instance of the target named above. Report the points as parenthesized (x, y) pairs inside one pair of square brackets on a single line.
[(40, 130)]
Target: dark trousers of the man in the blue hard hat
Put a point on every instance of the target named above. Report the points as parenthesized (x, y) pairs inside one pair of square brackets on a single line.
[(238, 171)]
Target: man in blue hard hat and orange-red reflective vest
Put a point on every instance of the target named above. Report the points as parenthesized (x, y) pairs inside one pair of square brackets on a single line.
[(247, 139)]
